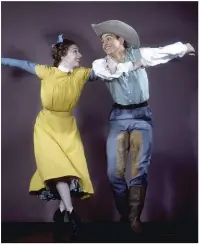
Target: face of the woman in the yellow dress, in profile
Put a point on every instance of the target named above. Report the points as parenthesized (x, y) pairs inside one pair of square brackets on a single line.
[(72, 58)]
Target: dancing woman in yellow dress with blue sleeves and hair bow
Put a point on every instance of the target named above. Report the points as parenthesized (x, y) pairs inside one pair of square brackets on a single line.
[(61, 164)]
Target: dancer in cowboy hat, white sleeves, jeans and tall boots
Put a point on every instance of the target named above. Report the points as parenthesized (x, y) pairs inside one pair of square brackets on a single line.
[(131, 116)]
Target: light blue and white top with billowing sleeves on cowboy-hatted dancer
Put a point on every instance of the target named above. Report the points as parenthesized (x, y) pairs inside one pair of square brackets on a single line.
[(133, 87)]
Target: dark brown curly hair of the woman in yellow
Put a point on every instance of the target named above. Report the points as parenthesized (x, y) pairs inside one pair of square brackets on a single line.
[(59, 50)]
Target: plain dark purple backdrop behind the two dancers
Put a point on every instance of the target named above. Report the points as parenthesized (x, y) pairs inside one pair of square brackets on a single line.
[(28, 31)]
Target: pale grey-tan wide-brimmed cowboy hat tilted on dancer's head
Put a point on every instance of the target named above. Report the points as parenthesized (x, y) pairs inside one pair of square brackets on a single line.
[(120, 29)]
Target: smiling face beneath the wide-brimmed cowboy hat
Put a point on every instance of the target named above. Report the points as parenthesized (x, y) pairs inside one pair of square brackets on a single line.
[(111, 43)]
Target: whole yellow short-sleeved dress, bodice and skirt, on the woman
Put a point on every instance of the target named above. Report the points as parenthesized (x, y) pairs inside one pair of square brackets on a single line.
[(57, 144)]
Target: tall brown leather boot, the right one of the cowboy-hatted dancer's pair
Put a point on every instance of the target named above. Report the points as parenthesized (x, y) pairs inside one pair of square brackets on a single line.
[(136, 203)]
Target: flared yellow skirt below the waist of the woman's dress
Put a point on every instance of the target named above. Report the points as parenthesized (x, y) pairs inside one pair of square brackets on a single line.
[(58, 152)]
